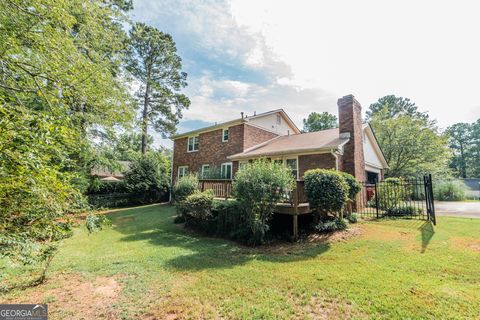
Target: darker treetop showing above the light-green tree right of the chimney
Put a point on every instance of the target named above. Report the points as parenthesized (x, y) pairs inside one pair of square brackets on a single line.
[(391, 107)]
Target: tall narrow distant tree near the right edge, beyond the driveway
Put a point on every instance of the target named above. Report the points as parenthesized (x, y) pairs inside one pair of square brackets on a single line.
[(460, 135)]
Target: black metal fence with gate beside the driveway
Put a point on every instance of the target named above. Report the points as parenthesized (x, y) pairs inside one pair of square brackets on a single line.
[(403, 198)]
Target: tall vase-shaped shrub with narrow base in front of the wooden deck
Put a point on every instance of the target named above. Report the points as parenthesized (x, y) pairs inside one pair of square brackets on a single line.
[(259, 186)]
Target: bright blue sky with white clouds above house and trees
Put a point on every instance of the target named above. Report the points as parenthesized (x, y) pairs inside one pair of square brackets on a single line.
[(248, 56)]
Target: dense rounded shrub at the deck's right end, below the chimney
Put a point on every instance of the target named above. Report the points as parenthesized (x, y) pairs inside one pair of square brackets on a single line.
[(326, 190)]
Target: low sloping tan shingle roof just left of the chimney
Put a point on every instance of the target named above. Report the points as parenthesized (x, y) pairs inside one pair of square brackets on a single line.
[(295, 143)]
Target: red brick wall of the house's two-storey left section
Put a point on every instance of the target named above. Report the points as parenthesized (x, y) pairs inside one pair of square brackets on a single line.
[(213, 151)]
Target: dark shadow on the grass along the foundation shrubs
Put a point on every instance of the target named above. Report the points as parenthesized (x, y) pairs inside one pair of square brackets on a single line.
[(198, 252)]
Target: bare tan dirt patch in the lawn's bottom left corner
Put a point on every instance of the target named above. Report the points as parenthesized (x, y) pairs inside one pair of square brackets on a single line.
[(69, 296)]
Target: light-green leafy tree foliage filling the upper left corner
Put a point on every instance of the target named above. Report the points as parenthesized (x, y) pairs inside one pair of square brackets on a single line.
[(64, 58)]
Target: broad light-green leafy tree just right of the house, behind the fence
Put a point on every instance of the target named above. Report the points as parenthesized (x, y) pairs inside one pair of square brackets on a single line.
[(411, 145)]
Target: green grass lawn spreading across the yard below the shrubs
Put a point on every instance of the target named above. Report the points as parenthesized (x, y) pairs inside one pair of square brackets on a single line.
[(394, 269)]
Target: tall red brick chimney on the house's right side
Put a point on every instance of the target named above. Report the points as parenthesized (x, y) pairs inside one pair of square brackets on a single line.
[(350, 118)]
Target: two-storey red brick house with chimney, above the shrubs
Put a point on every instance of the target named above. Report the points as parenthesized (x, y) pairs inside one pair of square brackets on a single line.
[(352, 147)]
